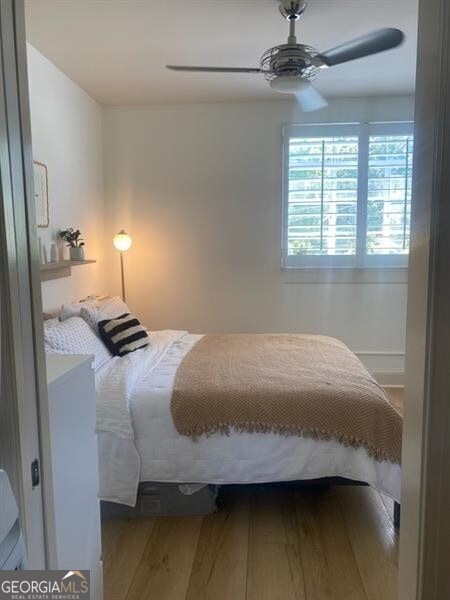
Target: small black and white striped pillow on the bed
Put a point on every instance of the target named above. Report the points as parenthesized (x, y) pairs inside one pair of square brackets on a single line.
[(123, 334)]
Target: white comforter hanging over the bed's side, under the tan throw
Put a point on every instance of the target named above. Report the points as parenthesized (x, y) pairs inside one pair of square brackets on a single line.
[(138, 441)]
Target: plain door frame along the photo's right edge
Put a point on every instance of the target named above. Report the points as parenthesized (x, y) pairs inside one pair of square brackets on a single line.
[(425, 531)]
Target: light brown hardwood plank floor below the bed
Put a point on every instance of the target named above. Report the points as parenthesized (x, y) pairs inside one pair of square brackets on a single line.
[(262, 544)]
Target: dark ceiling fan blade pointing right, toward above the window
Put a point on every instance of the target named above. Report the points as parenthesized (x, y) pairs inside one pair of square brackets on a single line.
[(377, 41)]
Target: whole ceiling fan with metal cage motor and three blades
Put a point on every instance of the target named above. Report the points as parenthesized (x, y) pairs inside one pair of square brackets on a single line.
[(290, 68)]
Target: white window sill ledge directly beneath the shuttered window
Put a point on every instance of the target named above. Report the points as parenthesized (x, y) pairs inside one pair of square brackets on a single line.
[(345, 275)]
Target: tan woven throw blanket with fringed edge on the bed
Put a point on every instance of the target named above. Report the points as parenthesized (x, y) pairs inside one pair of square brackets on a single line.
[(306, 385)]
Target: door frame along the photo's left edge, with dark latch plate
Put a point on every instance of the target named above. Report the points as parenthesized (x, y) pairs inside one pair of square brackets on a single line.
[(23, 380)]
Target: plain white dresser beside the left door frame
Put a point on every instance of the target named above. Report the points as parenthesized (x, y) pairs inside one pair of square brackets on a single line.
[(73, 510)]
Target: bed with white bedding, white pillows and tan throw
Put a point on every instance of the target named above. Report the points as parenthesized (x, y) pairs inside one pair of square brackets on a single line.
[(198, 410)]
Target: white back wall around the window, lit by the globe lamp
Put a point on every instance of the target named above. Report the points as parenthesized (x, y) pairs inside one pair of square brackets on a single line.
[(199, 189)]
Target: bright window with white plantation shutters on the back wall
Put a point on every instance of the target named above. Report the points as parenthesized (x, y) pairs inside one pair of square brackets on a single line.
[(347, 195)]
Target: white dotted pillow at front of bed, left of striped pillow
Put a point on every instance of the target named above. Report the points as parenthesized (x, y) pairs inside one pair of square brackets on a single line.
[(74, 336)]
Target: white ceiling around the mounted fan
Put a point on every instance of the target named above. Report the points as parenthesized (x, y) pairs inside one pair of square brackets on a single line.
[(116, 49)]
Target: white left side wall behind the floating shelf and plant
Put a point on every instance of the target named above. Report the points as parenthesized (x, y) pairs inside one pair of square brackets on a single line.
[(66, 129)]
